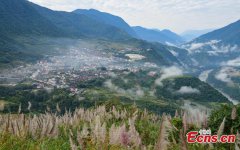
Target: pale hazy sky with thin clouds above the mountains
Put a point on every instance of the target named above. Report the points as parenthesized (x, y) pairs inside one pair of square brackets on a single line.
[(176, 15)]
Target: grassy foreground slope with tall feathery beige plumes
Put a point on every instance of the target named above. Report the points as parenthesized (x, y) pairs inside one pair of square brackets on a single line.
[(114, 126)]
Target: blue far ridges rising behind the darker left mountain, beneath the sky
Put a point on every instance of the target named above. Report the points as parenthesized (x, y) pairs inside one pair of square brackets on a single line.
[(151, 35)]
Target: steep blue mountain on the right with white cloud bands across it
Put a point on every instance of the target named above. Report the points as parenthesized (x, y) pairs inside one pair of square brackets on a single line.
[(216, 47)]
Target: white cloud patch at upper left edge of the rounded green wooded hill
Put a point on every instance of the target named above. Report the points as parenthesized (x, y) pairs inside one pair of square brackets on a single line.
[(168, 72)]
